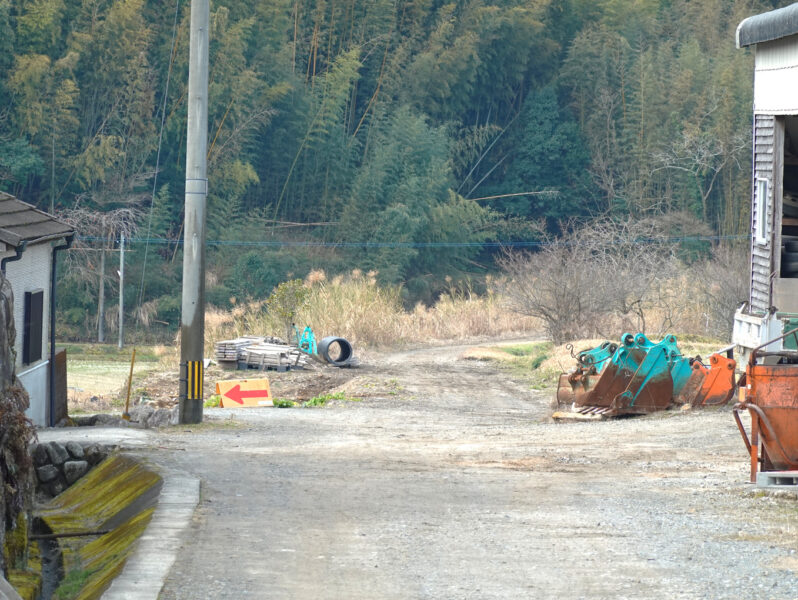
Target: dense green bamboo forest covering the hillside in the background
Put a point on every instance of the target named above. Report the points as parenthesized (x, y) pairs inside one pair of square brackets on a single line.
[(409, 137)]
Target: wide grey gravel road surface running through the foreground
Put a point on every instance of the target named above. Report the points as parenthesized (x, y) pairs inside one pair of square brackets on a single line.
[(449, 481)]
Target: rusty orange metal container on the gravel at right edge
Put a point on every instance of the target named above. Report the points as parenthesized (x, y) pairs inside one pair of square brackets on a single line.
[(771, 397)]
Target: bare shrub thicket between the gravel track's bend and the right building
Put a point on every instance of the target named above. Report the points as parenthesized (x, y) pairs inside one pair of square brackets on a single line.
[(597, 279)]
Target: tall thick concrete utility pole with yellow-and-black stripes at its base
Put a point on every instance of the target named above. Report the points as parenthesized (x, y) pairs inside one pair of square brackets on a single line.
[(192, 318)]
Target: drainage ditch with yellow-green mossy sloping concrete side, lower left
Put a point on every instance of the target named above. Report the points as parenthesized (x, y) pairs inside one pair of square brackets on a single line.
[(93, 504)]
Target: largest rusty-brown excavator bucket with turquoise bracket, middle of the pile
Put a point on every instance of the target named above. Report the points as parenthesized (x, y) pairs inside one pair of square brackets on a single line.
[(636, 381)]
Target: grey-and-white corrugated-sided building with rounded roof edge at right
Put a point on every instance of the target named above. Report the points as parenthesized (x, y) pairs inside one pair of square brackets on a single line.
[(774, 225)]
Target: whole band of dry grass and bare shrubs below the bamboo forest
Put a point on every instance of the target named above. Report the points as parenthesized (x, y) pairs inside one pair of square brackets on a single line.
[(593, 281)]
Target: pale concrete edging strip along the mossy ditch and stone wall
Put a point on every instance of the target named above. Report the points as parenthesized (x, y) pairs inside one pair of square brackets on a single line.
[(153, 554)]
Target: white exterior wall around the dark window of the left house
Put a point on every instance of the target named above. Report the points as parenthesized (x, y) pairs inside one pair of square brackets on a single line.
[(29, 274)]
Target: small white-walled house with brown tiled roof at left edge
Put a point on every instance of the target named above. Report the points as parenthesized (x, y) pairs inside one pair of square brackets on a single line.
[(29, 243)]
